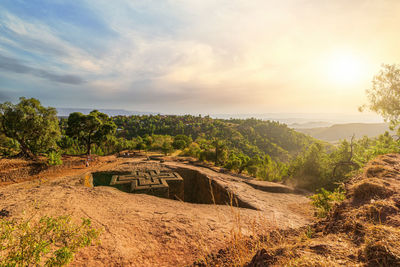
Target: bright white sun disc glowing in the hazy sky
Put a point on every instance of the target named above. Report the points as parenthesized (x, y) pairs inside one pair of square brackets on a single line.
[(344, 69)]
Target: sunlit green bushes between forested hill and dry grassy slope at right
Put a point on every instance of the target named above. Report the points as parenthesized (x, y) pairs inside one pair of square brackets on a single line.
[(314, 168)]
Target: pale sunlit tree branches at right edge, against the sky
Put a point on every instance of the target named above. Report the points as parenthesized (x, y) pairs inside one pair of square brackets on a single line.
[(384, 96)]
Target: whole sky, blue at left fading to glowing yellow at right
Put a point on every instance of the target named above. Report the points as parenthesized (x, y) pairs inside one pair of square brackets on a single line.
[(191, 56)]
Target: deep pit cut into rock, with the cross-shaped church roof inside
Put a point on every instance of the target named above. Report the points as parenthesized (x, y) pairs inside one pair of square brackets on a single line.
[(180, 184)]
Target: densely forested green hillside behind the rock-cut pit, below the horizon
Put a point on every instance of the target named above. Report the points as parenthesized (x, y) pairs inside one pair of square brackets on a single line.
[(259, 148)]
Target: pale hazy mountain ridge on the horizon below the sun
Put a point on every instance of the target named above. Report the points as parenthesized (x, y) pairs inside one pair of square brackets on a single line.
[(338, 132)]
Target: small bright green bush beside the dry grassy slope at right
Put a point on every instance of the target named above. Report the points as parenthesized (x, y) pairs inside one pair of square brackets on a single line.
[(324, 200)]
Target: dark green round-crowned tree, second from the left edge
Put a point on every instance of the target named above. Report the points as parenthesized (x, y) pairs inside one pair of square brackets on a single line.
[(94, 128)]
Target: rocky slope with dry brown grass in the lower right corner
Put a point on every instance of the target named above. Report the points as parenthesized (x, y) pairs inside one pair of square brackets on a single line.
[(361, 231)]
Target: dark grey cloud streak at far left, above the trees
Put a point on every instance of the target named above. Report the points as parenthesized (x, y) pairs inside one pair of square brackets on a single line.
[(14, 65)]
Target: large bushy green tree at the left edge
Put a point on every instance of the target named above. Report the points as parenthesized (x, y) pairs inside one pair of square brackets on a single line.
[(33, 126)]
